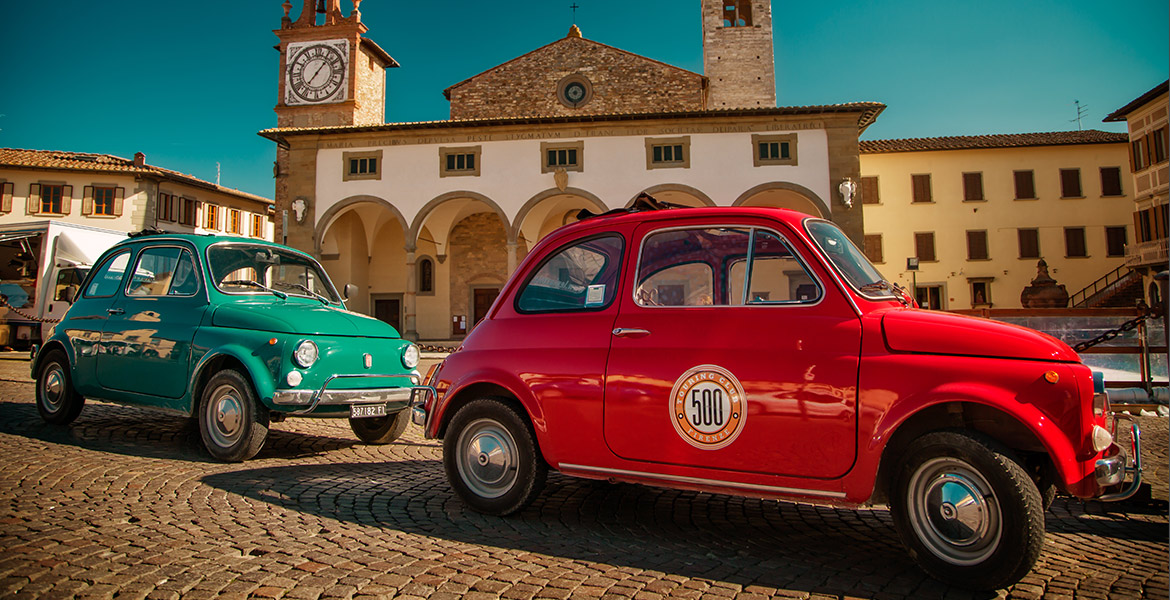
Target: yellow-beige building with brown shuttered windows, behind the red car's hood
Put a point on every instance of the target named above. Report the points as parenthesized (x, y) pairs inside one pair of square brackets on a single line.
[(980, 212)]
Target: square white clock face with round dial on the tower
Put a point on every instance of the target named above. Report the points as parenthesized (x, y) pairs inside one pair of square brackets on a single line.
[(318, 73)]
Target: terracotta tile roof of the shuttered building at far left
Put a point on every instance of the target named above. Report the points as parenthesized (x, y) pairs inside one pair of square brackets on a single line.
[(63, 161)]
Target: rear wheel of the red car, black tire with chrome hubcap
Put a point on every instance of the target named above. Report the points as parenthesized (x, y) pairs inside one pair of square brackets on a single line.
[(492, 459)]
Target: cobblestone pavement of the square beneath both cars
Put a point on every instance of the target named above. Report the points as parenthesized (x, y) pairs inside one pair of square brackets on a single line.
[(126, 505)]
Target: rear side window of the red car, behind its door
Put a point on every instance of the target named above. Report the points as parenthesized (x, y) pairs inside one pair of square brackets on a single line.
[(582, 277)]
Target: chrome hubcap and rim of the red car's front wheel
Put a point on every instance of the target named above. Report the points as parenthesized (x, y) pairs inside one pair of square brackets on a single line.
[(955, 512)]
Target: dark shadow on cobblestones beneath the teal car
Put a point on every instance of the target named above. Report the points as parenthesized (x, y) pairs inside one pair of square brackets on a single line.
[(155, 435)]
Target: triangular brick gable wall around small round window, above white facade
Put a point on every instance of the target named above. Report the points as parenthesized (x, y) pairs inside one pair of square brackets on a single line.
[(622, 82)]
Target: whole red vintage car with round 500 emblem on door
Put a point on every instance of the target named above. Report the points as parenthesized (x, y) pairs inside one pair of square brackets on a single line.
[(758, 353)]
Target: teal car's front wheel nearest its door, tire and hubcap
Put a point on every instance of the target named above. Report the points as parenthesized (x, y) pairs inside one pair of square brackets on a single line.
[(232, 423)]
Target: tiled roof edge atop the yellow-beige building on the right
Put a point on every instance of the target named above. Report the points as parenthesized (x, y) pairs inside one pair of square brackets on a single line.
[(1057, 139)]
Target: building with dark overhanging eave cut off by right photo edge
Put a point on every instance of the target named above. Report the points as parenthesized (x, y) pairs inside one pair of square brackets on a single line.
[(1151, 168)]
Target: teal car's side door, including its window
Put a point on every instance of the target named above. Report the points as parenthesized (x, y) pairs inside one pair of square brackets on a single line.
[(147, 339)]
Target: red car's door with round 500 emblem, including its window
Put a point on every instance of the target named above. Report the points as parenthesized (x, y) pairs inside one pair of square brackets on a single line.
[(731, 353)]
